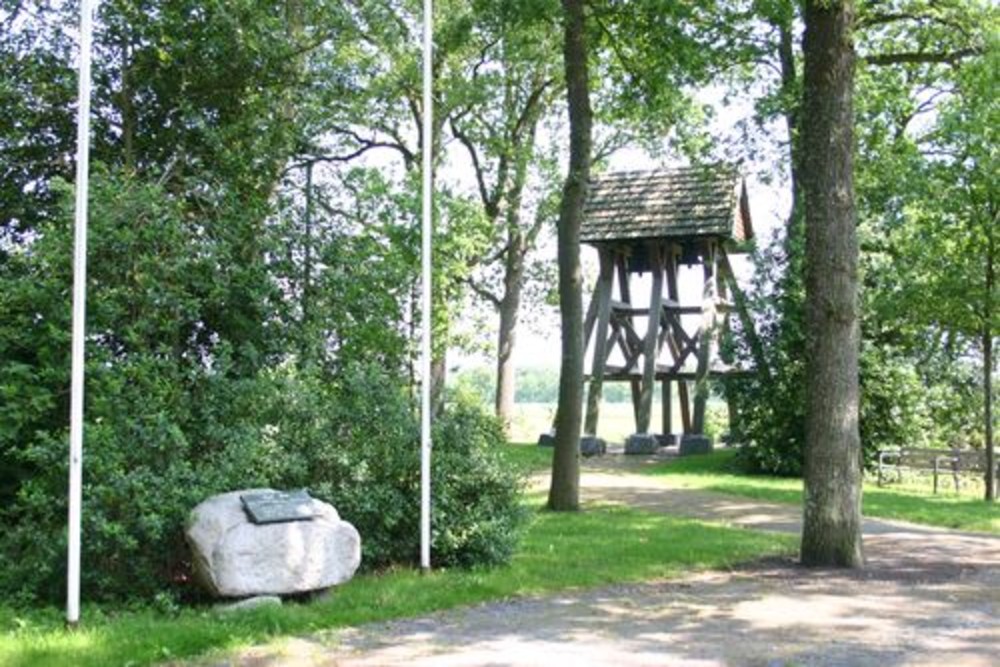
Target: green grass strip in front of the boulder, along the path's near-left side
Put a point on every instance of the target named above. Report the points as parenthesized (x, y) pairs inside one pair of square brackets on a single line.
[(603, 545)]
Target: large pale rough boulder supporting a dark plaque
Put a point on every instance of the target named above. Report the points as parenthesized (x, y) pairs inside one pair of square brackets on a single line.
[(234, 557)]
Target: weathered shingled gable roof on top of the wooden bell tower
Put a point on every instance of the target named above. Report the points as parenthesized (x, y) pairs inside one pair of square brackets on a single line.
[(667, 203)]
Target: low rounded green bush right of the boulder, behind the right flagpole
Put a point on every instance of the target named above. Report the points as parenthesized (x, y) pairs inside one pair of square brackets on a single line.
[(365, 461)]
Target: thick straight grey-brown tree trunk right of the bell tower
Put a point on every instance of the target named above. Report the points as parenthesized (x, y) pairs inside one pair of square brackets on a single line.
[(831, 533)]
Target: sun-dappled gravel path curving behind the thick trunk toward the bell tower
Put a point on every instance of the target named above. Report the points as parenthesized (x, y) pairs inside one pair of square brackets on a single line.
[(928, 597)]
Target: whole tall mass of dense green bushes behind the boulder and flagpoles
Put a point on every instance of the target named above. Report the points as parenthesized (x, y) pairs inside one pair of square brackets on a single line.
[(188, 395)]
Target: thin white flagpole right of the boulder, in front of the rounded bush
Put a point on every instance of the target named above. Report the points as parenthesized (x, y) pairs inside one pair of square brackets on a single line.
[(427, 229)]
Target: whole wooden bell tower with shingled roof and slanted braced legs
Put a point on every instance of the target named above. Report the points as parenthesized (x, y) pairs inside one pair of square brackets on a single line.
[(655, 222)]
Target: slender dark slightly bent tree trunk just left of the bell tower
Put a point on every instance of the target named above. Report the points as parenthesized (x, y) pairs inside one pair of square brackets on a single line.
[(564, 492)]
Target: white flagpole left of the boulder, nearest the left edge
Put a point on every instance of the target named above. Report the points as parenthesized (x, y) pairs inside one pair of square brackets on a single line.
[(79, 318)]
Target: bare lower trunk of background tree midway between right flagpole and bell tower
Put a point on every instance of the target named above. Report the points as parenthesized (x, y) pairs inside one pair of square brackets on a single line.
[(510, 305)]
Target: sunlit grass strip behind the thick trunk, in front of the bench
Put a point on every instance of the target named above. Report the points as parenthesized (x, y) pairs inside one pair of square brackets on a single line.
[(715, 472)]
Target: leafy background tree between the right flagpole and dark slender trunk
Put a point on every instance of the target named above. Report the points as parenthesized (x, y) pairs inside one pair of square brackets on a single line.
[(498, 129)]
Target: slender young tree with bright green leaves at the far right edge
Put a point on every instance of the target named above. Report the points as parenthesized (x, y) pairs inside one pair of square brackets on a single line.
[(946, 251)]
